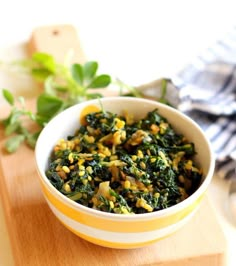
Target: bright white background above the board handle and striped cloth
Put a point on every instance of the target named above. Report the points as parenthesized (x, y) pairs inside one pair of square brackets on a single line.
[(135, 40)]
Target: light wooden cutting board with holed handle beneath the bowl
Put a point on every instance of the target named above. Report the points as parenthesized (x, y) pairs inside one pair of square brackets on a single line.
[(38, 238)]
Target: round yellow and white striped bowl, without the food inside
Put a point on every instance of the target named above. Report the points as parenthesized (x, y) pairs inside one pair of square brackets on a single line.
[(117, 230)]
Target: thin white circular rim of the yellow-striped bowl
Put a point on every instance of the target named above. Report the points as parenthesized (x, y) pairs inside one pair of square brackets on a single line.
[(173, 209)]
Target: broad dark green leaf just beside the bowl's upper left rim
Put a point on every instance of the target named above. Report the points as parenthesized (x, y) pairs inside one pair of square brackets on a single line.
[(48, 105)]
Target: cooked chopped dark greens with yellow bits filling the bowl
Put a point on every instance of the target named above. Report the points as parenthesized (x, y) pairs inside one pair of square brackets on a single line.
[(118, 165)]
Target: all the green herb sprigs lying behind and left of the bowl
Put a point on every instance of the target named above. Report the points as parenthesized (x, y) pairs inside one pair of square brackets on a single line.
[(63, 85)]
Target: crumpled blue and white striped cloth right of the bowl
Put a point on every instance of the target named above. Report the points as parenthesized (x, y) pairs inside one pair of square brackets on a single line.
[(207, 93)]
